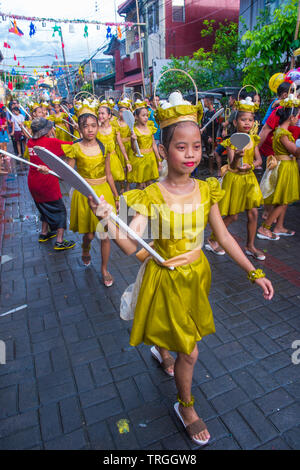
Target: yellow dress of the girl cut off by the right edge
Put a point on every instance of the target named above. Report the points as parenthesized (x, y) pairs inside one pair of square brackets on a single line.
[(287, 188)]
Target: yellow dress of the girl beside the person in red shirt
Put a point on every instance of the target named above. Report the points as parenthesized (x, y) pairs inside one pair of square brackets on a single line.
[(82, 219)]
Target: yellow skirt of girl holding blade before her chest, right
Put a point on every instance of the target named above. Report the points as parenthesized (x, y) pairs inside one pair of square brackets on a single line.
[(242, 192)]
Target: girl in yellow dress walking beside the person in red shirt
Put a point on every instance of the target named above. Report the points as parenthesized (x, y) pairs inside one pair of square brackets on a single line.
[(94, 166)]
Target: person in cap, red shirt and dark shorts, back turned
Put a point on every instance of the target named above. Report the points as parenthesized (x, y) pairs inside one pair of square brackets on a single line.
[(45, 188)]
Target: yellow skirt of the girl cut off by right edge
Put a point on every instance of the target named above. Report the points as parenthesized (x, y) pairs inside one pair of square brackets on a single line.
[(287, 188)]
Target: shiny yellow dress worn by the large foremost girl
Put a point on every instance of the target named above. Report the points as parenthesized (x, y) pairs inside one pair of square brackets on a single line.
[(172, 309)]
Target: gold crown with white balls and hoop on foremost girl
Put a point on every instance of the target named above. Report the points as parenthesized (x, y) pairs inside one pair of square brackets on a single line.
[(176, 109)]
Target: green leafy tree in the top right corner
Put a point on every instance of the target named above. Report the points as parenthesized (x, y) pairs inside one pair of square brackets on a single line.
[(270, 45)]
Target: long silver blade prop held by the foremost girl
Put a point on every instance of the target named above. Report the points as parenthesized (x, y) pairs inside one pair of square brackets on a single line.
[(74, 179)]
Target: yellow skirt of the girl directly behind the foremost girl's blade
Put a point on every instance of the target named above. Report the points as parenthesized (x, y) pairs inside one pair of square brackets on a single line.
[(82, 219)]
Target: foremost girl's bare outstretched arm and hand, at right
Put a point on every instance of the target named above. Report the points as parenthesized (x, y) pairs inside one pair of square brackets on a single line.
[(234, 251)]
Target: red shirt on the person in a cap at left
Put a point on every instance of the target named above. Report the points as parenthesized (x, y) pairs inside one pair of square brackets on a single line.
[(44, 188)]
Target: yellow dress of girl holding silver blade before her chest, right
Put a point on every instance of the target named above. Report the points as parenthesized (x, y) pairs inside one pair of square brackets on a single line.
[(242, 191)]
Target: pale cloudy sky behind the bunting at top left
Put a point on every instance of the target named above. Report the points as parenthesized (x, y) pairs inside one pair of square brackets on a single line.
[(42, 47)]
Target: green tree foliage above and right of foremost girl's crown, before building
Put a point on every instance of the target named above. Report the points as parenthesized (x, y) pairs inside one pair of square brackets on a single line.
[(222, 66)]
